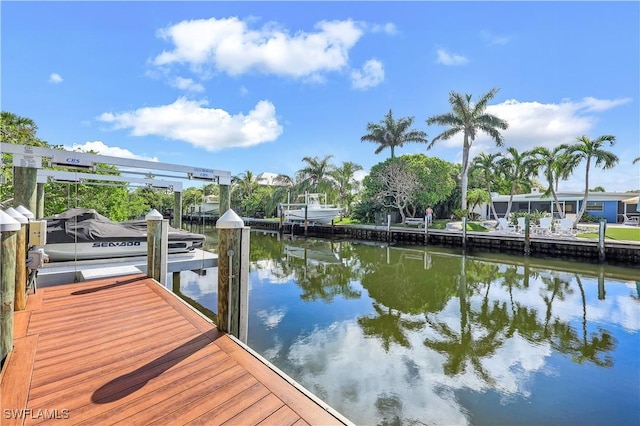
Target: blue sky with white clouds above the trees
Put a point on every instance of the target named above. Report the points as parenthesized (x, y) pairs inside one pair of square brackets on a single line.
[(257, 86)]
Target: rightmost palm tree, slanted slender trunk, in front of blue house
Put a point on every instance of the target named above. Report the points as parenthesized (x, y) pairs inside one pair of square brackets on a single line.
[(587, 149)]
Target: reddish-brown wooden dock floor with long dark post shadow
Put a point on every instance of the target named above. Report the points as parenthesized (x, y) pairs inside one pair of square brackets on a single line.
[(126, 351)]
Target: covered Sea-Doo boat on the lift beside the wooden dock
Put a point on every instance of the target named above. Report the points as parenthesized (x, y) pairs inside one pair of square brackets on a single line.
[(83, 234)]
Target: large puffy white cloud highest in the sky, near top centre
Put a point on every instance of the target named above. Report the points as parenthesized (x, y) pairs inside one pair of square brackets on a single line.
[(230, 46)]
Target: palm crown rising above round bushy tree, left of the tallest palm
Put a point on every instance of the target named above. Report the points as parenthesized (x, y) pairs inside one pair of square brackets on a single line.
[(392, 133)]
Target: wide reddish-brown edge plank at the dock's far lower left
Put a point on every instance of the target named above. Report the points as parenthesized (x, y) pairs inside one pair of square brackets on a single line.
[(16, 377)]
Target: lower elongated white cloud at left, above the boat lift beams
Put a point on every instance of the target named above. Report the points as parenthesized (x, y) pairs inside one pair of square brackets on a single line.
[(209, 128)]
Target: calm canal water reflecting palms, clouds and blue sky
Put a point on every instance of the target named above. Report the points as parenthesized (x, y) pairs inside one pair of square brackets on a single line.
[(427, 335)]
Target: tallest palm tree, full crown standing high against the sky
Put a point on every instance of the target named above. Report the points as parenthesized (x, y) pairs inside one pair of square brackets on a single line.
[(468, 118)]
